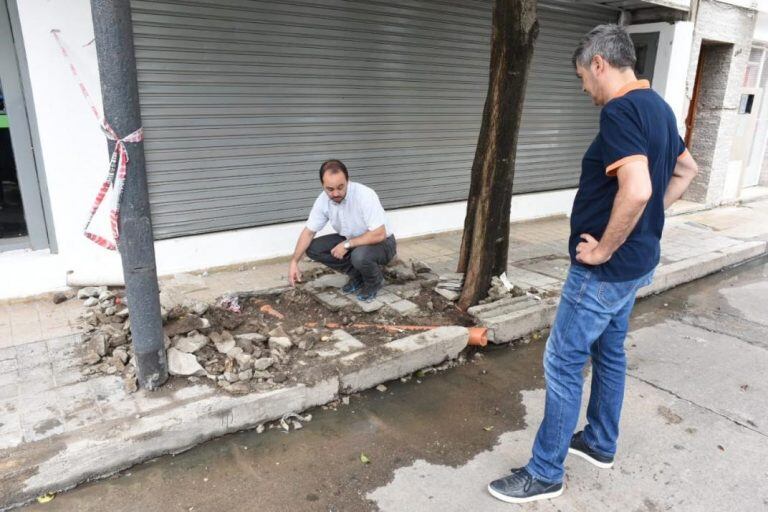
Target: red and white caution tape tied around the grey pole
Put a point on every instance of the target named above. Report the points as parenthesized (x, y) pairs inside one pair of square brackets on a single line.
[(118, 162)]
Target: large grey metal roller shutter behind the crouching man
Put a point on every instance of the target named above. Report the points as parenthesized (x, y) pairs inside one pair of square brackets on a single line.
[(242, 99)]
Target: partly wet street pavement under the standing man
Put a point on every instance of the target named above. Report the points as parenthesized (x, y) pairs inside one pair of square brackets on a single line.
[(694, 431)]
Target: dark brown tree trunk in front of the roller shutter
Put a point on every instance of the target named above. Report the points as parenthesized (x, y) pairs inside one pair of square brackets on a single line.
[(485, 242)]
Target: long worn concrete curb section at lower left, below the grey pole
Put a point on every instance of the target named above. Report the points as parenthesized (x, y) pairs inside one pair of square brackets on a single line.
[(200, 413)]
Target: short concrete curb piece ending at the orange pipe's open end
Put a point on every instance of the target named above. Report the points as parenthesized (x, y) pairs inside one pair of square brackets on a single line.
[(406, 355)]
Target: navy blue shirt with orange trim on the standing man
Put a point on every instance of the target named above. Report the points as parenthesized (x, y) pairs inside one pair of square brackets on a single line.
[(636, 125)]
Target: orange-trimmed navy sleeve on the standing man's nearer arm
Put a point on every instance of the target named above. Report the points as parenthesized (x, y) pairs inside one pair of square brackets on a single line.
[(623, 138)]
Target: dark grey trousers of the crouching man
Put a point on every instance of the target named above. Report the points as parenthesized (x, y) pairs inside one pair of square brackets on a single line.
[(362, 262)]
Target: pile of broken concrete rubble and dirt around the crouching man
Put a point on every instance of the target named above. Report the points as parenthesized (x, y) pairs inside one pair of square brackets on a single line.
[(243, 342)]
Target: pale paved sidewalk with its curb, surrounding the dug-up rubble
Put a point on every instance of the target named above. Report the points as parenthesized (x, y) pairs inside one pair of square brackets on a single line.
[(58, 429)]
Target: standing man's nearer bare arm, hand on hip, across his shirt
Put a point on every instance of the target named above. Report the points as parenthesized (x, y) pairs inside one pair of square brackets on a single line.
[(635, 191)]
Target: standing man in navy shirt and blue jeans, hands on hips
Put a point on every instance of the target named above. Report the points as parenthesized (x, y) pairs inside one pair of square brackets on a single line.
[(634, 169)]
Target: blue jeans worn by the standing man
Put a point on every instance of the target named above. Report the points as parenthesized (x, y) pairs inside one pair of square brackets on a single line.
[(591, 321)]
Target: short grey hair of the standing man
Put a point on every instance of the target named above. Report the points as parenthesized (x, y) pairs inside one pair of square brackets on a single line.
[(611, 42)]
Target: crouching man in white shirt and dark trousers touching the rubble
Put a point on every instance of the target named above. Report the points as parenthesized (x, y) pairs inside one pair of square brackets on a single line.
[(363, 240)]
